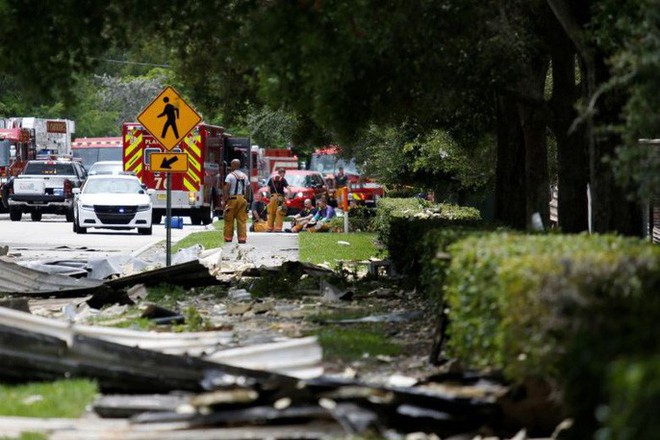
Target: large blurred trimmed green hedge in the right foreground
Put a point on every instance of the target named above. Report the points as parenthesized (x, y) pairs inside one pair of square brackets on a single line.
[(558, 307)]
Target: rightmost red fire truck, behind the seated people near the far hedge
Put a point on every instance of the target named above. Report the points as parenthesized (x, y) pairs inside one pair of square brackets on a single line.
[(361, 189)]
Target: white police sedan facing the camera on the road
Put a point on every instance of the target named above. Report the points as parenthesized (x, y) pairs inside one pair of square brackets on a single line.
[(112, 202)]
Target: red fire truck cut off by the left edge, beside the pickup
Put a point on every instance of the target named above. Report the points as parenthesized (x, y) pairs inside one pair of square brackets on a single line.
[(16, 148)]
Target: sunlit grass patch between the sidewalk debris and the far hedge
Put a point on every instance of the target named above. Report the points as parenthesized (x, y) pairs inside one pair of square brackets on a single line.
[(331, 247)]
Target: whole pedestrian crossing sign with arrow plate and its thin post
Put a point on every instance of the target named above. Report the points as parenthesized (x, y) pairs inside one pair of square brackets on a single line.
[(169, 119)]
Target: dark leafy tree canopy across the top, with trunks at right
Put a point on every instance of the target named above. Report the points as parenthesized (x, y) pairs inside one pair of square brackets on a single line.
[(422, 78)]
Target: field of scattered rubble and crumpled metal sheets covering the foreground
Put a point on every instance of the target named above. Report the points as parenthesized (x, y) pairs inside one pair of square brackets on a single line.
[(254, 375)]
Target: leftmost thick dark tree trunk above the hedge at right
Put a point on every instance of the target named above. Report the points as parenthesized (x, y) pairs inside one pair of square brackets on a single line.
[(510, 199)]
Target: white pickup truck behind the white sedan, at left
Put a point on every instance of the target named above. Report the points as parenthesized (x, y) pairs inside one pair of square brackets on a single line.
[(45, 186)]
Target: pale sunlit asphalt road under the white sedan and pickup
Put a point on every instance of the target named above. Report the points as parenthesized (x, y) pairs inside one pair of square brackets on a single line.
[(53, 239)]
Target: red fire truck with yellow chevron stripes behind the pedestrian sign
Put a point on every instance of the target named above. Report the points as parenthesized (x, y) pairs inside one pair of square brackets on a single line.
[(196, 193)]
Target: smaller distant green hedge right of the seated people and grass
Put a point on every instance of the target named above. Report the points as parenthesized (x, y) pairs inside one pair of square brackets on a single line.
[(402, 225)]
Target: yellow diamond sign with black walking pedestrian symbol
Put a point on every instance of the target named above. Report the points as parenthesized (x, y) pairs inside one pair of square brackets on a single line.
[(169, 118)]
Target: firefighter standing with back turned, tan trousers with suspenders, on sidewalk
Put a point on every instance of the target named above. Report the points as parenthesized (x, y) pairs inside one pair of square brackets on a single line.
[(235, 203)]
